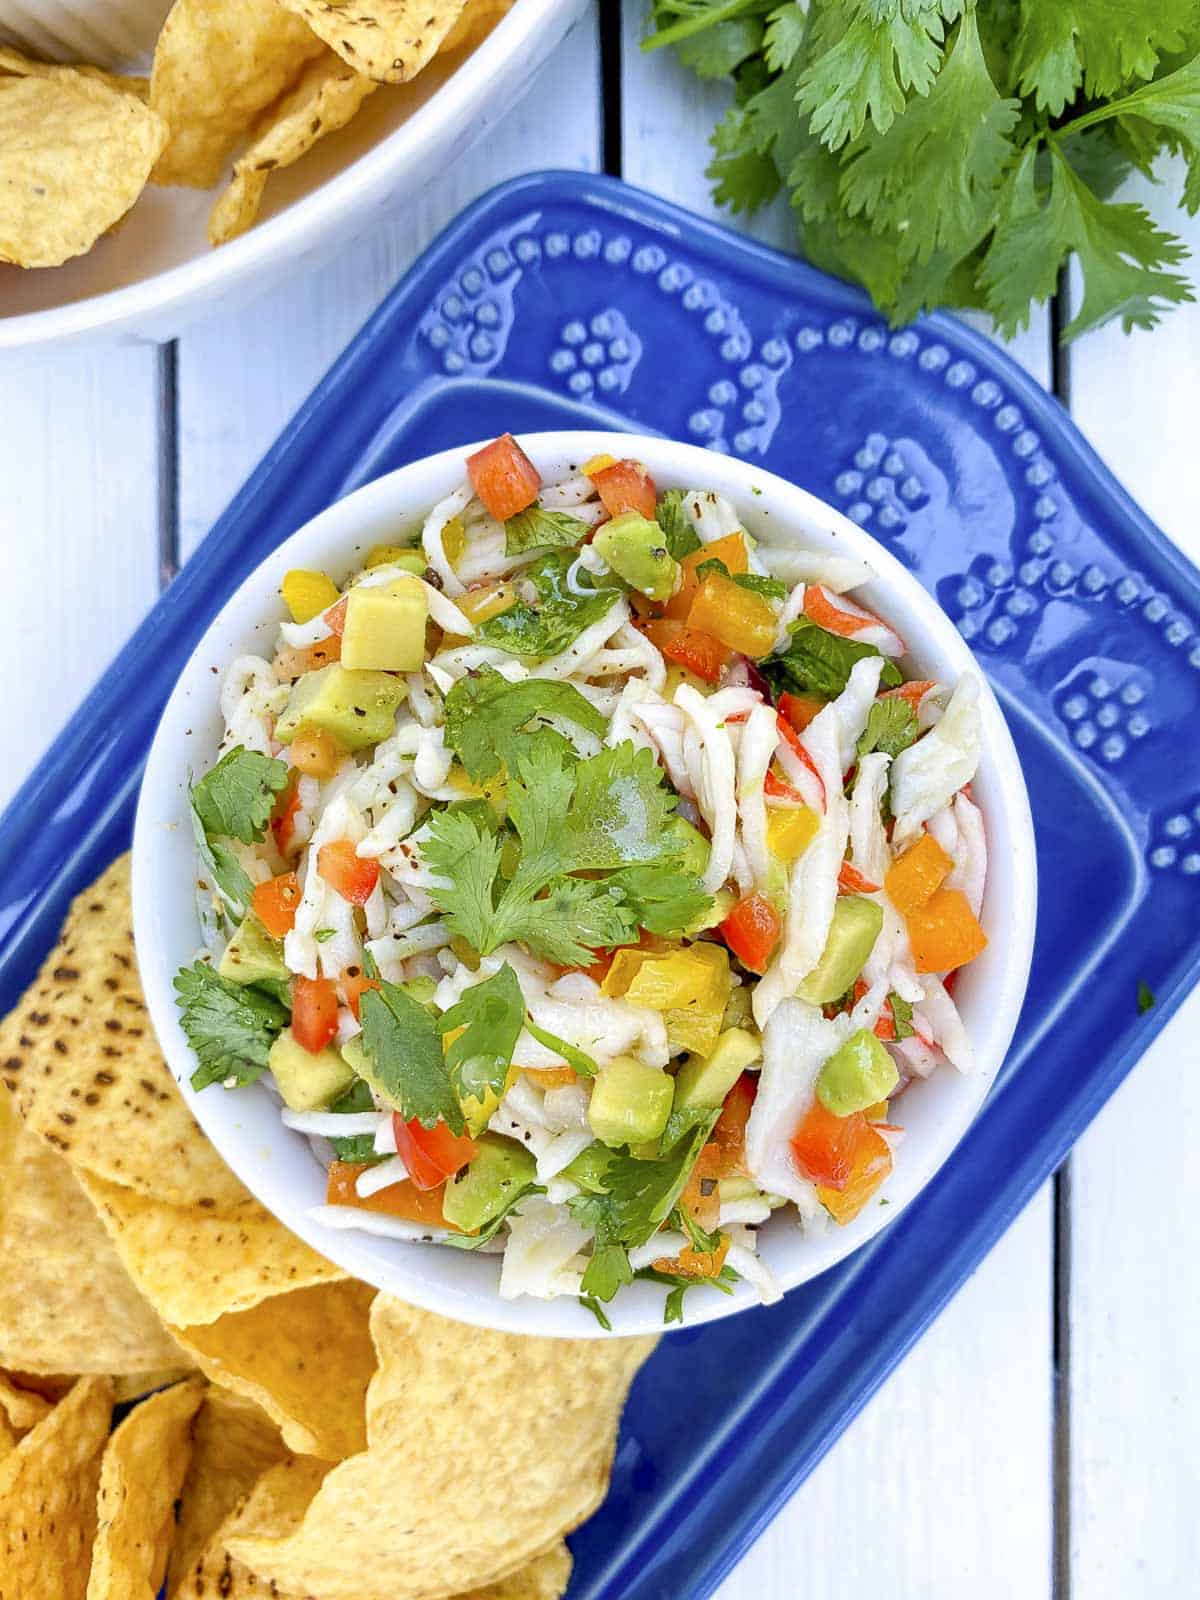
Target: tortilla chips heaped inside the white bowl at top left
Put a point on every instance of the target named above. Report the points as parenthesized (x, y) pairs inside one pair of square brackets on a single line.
[(252, 82)]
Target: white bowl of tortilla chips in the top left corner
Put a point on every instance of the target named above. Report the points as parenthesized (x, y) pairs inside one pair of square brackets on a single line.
[(143, 204)]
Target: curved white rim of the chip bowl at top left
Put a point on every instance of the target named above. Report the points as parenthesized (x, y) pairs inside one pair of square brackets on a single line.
[(318, 215)]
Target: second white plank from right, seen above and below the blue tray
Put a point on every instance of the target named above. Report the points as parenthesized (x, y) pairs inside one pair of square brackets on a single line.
[(908, 1503)]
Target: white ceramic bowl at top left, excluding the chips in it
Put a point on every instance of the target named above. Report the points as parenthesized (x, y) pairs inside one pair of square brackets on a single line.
[(156, 273)]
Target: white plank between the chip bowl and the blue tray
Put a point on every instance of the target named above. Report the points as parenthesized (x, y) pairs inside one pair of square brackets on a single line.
[(242, 377)]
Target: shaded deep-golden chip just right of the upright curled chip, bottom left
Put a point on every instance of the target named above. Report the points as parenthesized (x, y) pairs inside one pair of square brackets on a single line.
[(233, 1446)]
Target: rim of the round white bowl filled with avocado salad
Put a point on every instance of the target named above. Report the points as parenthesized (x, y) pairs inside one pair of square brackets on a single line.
[(670, 462)]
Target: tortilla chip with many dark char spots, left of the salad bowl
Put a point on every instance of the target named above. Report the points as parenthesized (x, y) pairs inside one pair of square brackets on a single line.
[(82, 1060)]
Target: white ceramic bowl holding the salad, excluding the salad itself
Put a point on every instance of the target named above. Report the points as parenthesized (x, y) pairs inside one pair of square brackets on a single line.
[(279, 1164)]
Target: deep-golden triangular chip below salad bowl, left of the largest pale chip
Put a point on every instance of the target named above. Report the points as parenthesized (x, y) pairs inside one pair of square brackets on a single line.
[(305, 1358)]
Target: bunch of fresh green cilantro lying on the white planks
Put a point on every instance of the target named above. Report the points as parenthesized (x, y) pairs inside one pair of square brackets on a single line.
[(958, 153)]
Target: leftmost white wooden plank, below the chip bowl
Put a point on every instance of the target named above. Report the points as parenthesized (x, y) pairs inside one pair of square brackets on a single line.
[(78, 530)]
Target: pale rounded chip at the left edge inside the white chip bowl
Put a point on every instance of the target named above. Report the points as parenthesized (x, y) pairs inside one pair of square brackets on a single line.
[(74, 156)]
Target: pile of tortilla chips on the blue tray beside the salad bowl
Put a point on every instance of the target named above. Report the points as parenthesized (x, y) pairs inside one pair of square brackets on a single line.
[(295, 1434)]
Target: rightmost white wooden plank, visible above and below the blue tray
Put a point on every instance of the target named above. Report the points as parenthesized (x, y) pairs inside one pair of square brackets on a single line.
[(1135, 1305)]
